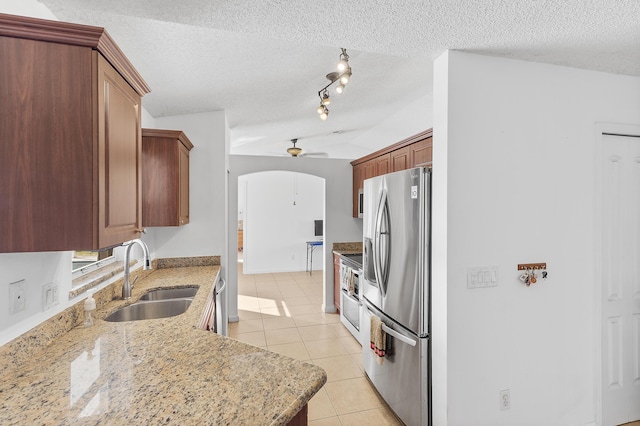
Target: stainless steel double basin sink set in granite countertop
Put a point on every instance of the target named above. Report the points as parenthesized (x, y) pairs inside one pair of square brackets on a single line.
[(161, 303)]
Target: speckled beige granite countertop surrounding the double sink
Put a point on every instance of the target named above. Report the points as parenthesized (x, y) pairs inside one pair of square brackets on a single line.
[(161, 371)]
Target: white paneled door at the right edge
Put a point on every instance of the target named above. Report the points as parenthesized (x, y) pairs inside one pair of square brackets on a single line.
[(620, 280)]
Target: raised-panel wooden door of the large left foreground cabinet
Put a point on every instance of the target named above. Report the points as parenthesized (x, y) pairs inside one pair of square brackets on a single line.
[(119, 157)]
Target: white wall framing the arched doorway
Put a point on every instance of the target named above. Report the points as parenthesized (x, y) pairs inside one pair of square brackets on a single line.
[(339, 226)]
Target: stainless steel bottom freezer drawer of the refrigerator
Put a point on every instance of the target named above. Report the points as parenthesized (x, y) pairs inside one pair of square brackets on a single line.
[(402, 379)]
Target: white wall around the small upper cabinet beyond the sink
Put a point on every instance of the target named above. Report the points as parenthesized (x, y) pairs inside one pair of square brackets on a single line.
[(205, 233)]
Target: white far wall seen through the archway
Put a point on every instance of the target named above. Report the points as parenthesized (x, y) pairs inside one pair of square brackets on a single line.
[(279, 220)]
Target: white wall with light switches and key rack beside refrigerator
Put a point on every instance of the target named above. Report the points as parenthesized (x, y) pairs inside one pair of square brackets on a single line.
[(515, 154)]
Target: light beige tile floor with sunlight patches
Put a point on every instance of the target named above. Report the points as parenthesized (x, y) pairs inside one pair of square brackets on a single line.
[(282, 312)]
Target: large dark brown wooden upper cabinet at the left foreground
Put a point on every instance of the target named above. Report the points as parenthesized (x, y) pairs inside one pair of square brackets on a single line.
[(70, 138)]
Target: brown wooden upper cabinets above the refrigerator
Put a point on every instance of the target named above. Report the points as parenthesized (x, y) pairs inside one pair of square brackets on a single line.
[(411, 152)]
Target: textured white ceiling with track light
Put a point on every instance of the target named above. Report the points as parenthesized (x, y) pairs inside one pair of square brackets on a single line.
[(263, 62)]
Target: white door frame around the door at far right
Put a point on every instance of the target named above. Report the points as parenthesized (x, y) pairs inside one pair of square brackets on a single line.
[(602, 129)]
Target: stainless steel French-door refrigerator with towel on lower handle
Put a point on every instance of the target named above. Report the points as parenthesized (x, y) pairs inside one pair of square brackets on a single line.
[(396, 289)]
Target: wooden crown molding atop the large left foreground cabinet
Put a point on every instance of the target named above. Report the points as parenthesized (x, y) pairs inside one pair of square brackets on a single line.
[(76, 35)]
